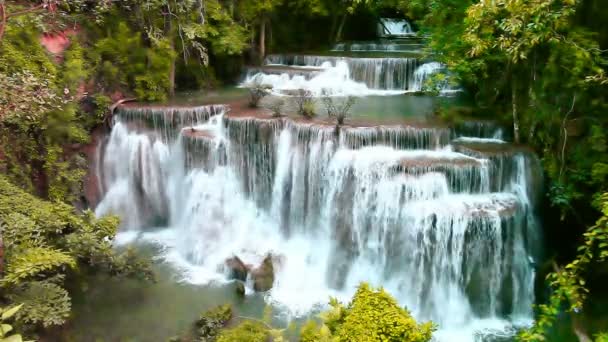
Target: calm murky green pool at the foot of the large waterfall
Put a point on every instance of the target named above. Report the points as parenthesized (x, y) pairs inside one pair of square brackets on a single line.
[(110, 309)]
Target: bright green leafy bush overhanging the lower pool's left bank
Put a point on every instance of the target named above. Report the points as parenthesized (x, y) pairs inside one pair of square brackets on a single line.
[(45, 242)]
